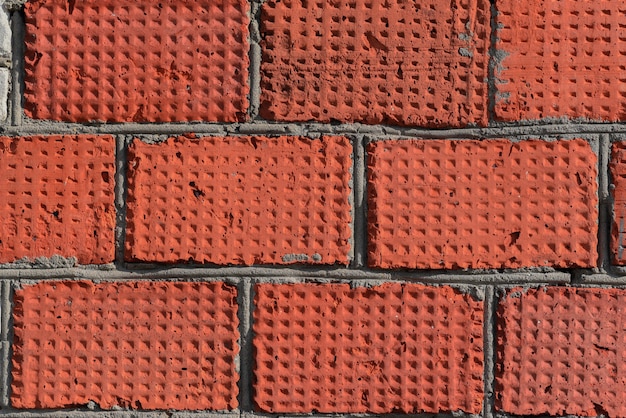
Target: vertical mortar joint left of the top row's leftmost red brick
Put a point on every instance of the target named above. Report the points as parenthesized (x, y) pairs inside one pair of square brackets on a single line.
[(18, 31)]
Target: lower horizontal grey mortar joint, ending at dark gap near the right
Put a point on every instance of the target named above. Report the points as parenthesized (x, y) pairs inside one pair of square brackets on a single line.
[(433, 277)]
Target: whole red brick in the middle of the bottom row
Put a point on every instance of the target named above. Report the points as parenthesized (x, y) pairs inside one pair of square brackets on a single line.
[(390, 348)]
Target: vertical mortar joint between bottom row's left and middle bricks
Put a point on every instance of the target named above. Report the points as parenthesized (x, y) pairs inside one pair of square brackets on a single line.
[(245, 294)]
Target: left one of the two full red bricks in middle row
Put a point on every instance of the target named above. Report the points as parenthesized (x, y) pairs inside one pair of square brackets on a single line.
[(240, 200)]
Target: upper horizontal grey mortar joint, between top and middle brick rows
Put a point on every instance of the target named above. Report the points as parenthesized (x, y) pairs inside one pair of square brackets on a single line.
[(270, 128)]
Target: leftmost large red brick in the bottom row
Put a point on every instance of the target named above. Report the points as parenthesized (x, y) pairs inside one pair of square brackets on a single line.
[(139, 345)]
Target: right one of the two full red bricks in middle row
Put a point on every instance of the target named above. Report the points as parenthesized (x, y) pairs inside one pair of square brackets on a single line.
[(482, 204)]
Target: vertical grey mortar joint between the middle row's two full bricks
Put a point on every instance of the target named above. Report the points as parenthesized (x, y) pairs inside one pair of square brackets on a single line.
[(359, 204)]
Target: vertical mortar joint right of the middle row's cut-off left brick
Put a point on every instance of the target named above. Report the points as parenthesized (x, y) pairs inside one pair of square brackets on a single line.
[(121, 163)]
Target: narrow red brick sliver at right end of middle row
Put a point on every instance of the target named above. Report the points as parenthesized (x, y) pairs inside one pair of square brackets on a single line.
[(618, 174)]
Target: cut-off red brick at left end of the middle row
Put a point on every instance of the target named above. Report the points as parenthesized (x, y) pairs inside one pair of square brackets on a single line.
[(57, 197)]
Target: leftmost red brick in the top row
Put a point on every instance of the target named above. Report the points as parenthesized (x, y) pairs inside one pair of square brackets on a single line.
[(127, 60)]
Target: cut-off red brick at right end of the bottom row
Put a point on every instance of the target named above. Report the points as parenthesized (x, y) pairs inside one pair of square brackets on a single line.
[(561, 352)]
